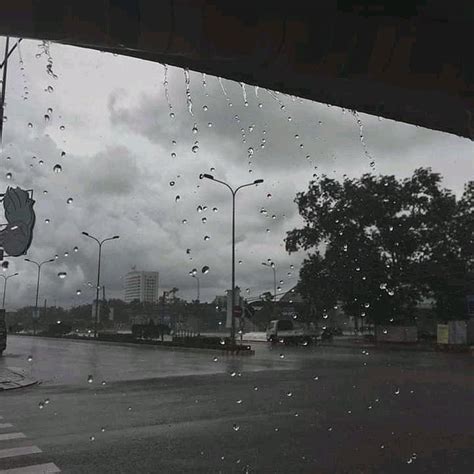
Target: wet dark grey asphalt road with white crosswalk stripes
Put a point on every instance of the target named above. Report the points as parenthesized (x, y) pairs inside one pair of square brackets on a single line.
[(310, 410)]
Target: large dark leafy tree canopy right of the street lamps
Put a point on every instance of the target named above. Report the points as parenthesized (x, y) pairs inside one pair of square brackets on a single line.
[(378, 245)]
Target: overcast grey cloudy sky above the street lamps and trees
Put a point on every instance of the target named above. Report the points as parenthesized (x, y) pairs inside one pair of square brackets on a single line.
[(118, 168)]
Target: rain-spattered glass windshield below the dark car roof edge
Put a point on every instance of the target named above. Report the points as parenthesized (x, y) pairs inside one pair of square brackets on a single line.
[(137, 308)]
